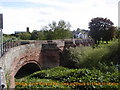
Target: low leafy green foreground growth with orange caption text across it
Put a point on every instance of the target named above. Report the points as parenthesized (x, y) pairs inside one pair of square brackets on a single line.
[(61, 77)]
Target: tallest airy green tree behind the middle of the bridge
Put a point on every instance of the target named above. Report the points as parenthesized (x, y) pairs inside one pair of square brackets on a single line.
[(60, 30)]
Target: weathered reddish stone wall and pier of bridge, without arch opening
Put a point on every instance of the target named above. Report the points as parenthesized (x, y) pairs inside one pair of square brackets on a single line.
[(18, 57)]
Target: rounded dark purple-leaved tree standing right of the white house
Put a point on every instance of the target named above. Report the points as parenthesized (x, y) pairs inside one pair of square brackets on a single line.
[(101, 29)]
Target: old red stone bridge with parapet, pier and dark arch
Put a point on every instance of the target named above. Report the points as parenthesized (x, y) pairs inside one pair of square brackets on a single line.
[(25, 59)]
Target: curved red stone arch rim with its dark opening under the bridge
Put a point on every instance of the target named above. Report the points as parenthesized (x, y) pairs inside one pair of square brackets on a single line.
[(25, 65)]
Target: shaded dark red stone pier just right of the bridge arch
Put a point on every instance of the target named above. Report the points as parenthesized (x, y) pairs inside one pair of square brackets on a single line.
[(50, 55)]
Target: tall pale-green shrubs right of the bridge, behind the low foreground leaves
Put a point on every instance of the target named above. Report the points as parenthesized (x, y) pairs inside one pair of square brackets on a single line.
[(105, 57)]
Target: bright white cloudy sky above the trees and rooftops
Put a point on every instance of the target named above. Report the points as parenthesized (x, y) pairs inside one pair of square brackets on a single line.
[(35, 14)]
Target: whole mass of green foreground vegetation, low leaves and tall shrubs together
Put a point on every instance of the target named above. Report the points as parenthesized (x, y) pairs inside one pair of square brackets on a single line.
[(95, 68)]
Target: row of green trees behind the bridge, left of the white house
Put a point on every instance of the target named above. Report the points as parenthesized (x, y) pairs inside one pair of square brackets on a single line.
[(52, 31)]
